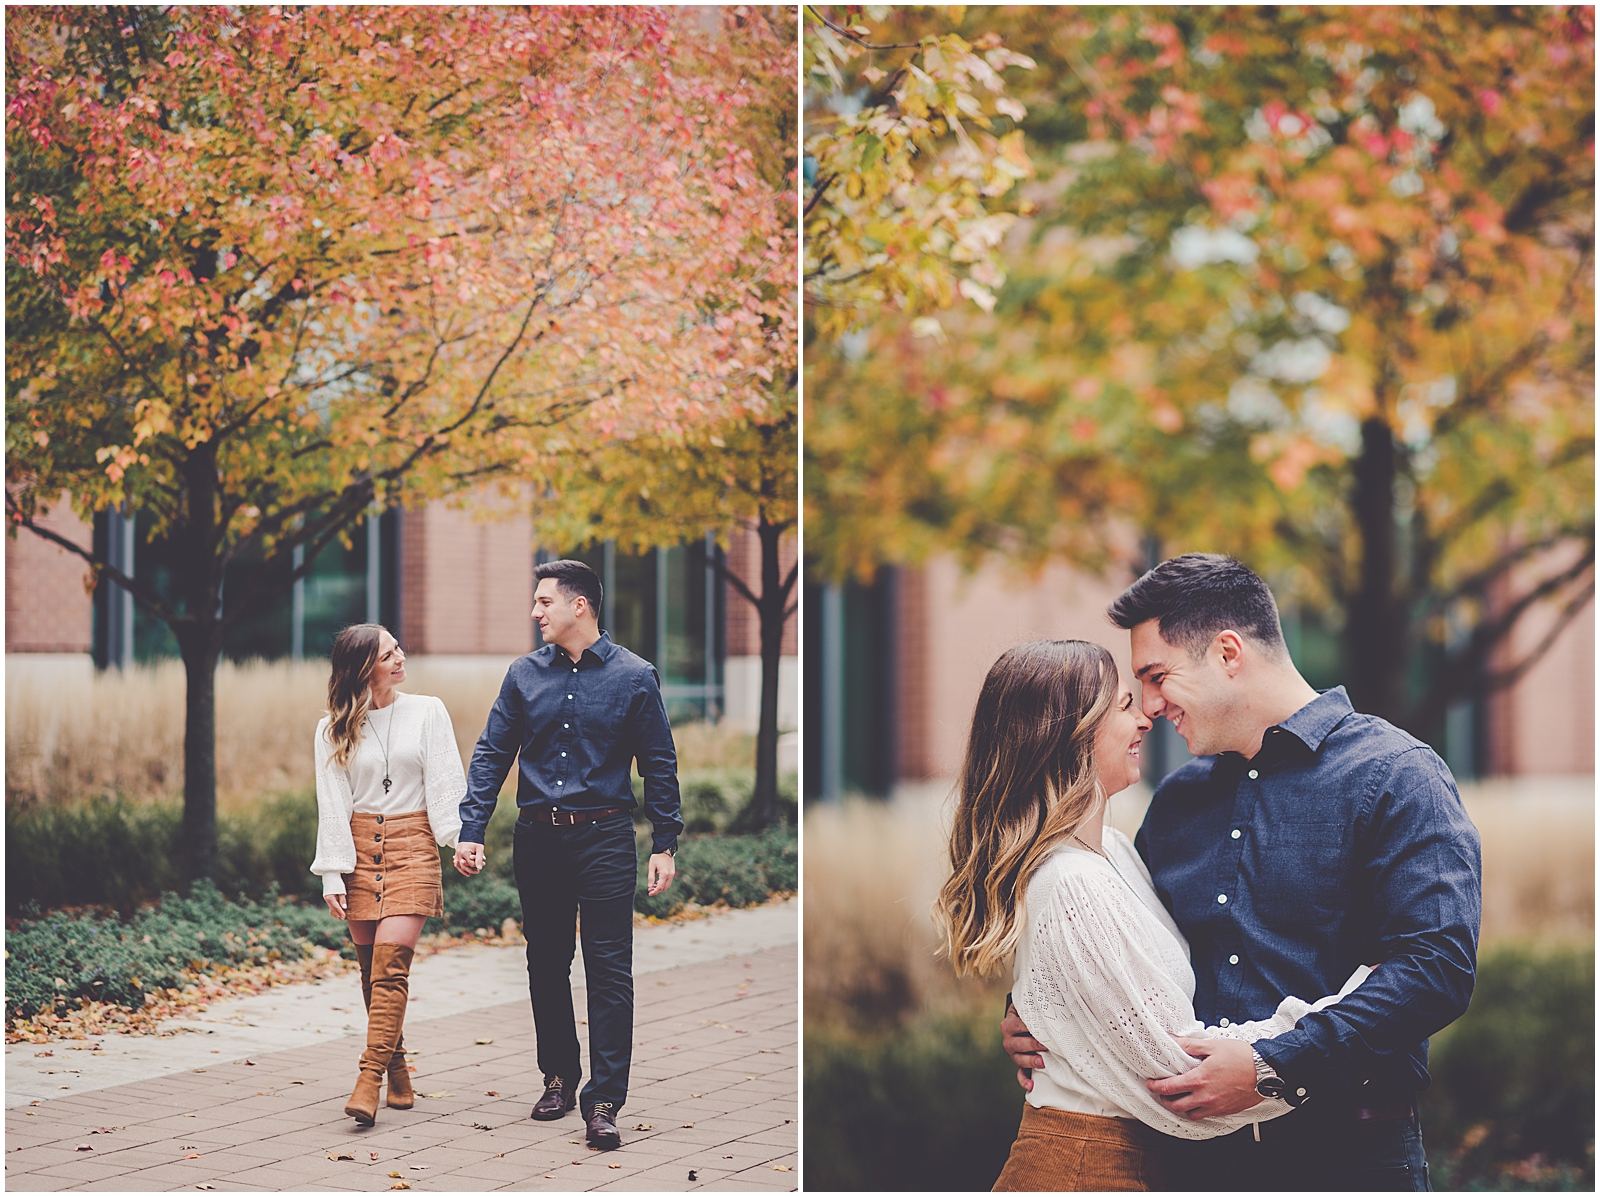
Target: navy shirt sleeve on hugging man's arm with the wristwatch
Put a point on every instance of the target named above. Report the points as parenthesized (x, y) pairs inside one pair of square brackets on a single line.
[(1423, 875)]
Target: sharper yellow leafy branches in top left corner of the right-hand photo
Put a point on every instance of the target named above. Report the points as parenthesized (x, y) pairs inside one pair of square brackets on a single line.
[(908, 191)]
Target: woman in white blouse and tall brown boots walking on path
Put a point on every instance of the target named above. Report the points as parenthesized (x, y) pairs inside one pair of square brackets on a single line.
[(390, 787)]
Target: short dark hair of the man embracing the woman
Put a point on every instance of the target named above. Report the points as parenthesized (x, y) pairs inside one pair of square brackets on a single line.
[(1196, 596)]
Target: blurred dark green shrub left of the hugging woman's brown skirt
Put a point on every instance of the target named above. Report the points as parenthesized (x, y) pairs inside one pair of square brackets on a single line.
[(932, 1107)]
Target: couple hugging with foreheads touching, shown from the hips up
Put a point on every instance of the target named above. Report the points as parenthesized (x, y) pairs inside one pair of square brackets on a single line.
[(1241, 998)]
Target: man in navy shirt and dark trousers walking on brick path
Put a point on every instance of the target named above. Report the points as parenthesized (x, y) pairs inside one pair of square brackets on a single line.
[(577, 715)]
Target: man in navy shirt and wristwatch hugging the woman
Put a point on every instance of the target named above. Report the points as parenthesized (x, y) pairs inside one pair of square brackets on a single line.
[(1303, 841)]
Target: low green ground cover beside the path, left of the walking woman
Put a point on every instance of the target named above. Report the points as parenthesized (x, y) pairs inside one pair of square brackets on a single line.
[(66, 958)]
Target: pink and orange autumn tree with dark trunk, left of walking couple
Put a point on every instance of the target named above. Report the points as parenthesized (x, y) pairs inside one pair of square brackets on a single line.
[(273, 270)]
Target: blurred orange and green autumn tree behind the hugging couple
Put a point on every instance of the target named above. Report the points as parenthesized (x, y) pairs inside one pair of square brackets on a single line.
[(1314, 287)]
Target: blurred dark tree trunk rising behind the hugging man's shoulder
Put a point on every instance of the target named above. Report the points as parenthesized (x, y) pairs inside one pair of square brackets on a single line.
[(1375, 644)]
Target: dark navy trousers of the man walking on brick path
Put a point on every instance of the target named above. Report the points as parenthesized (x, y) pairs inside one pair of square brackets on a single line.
[(590, 870)]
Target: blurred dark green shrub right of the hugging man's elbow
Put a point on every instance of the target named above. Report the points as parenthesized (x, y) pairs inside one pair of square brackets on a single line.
[(1513, 1105)]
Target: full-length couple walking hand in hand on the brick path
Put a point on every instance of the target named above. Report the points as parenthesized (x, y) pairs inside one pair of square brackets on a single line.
[(575, 716)]
